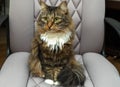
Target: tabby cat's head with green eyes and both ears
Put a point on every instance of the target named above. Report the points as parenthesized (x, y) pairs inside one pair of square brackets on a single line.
[(55, 19)]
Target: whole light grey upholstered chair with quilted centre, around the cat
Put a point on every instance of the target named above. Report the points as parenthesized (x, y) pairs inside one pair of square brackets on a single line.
[(88, 16)]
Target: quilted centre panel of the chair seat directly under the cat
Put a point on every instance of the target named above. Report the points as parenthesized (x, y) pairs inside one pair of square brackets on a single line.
[(39, 82)]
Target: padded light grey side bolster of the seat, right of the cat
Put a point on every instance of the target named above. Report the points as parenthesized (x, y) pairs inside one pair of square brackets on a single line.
[(101, 71)]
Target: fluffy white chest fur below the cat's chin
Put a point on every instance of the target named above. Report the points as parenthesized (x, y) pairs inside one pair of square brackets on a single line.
[(54, 40)]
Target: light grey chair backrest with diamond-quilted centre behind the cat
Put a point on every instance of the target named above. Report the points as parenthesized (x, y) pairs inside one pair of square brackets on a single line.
[(88, 16)]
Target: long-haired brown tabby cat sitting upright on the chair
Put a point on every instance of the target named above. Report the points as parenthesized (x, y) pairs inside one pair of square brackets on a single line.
[(52, 55)]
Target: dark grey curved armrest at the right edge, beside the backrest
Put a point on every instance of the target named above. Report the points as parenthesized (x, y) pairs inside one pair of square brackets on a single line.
[(114, 23)]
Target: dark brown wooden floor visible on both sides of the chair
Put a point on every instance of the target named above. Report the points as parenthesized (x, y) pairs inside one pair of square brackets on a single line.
[(3, 50)]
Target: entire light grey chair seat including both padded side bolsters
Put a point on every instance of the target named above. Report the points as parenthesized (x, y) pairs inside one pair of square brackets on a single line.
[(97, 68)]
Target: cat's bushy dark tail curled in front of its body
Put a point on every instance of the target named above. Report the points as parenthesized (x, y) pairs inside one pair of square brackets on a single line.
[(72, 77)]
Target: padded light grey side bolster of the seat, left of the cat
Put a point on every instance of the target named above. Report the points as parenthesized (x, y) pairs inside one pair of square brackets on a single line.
[(14, 72)]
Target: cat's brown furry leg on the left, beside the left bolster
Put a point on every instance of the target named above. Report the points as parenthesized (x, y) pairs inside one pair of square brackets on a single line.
[(34, 62)]
